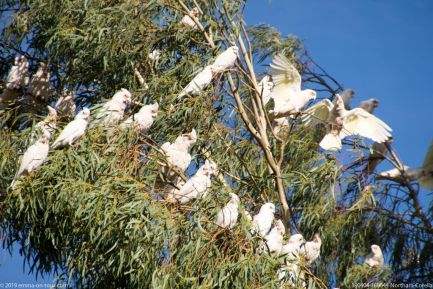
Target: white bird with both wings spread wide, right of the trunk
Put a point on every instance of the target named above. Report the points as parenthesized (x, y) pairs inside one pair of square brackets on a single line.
[(344, 123)]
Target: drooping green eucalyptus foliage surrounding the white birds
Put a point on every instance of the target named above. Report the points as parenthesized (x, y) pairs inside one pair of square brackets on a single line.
[(94, 212)]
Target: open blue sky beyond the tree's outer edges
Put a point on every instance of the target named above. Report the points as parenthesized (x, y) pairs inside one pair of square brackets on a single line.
[(380, 48)]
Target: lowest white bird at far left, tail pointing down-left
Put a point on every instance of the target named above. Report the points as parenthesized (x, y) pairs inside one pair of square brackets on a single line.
[(34, 156)]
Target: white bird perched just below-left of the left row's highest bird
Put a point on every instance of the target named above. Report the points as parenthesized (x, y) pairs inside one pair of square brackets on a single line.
[(73, 130)]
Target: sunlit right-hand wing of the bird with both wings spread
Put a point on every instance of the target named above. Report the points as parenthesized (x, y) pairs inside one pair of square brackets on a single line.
[(359, 121)]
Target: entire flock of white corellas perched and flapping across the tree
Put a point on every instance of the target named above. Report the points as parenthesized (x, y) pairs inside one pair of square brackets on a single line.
[(283, 86)]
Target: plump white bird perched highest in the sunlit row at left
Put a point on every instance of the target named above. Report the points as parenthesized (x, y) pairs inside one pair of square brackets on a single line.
[(113, 110)]
